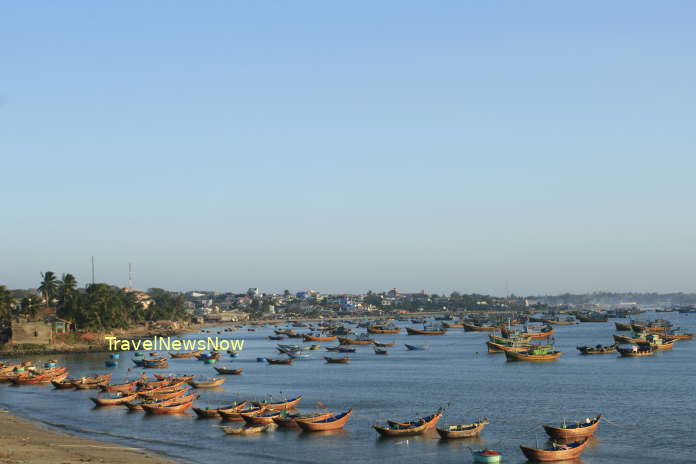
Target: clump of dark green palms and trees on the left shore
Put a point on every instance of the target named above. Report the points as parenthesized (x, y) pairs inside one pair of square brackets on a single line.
[(99, 306)]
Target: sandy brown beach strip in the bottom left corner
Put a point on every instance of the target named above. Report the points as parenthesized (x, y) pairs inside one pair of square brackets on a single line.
[(23, 441)]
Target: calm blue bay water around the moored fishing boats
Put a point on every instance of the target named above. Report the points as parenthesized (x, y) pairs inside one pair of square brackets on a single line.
[(654, 394)]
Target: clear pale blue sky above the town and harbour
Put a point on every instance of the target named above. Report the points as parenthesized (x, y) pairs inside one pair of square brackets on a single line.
[(539, 147)]
